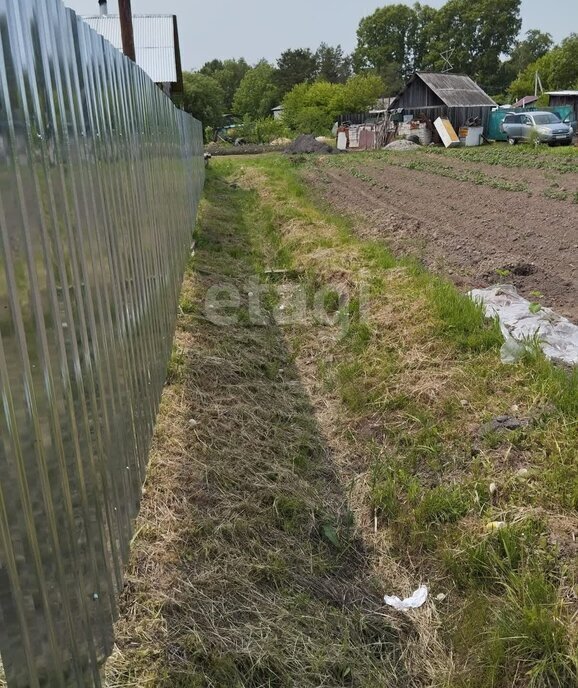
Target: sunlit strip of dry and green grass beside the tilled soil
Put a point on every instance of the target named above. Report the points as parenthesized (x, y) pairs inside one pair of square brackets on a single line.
[(401, 399)]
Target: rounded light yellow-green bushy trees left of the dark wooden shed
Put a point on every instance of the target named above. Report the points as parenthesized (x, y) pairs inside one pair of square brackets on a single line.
[(313, 108)]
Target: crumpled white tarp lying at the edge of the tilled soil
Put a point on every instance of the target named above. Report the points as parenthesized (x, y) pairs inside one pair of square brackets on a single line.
[(558, 337)]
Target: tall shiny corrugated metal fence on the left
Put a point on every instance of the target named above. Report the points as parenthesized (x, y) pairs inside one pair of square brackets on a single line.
[(100, 176)]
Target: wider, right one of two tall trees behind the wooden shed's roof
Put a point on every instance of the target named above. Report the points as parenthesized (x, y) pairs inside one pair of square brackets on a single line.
[(477, 34)]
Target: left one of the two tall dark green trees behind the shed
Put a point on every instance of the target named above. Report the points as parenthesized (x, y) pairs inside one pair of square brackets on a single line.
[(389, 40)]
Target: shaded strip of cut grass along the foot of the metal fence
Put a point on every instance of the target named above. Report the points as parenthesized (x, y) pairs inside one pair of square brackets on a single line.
[(248, 566)]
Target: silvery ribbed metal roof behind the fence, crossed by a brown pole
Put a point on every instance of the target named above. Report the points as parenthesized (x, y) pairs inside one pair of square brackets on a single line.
[(154, 40)]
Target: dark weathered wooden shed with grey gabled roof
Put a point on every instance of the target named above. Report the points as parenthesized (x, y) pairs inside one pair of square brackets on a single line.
[(454, 96)]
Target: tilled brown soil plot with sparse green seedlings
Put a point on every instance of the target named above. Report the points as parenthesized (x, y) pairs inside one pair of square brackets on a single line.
[(477, 234)]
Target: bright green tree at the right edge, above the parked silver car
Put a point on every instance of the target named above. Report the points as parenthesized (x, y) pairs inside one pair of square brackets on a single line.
[(558, 69)]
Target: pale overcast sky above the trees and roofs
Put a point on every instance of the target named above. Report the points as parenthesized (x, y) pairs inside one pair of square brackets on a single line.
[(264, 28)]
